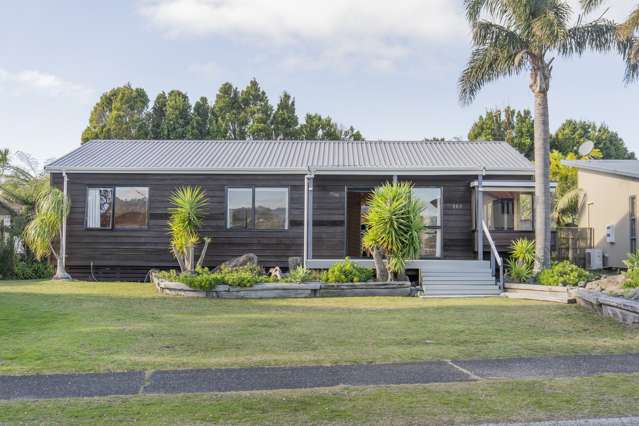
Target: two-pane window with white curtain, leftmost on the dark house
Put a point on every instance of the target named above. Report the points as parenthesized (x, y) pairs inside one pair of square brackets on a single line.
[(119, 208)]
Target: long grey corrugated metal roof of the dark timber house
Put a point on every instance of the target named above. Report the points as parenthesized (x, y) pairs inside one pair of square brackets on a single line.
[(290, 156)]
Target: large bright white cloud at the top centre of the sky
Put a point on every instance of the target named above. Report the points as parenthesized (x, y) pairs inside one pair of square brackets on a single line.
[(339, 33)]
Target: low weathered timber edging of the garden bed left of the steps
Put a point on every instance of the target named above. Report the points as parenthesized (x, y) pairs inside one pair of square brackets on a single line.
[(281, 290)]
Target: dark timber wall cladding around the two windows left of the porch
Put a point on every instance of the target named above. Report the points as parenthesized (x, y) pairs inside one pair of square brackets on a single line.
[(129, 254)]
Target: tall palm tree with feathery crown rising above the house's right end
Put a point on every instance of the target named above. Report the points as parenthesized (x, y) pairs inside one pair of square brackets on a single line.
[(513, 36)]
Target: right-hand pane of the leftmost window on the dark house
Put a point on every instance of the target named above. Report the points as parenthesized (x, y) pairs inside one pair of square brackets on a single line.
[(131, 207)]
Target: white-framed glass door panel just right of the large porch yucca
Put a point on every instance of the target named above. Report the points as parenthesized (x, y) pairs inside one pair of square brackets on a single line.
[(431, 236)]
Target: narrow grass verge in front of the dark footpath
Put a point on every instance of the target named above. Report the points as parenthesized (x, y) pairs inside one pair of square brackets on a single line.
[(485, 401)]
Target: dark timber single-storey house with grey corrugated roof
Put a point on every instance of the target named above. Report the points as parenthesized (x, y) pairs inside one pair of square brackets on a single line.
[(280, 199)]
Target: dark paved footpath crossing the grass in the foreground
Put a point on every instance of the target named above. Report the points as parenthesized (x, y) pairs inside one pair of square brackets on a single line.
[(269, 378)]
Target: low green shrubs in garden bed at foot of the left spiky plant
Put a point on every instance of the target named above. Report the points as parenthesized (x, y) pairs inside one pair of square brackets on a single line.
[(203, 279)]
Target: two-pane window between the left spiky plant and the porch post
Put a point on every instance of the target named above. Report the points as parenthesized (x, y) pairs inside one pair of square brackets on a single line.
[(257, 208)]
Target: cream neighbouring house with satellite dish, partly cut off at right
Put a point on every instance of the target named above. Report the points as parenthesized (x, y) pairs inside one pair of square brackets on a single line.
[(609, 205)]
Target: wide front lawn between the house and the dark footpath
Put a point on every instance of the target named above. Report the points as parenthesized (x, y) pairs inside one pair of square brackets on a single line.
[(50, 326)]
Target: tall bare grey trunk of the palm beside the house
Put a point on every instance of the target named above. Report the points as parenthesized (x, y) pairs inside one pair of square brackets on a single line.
[(542, 181)]
